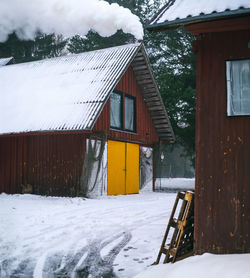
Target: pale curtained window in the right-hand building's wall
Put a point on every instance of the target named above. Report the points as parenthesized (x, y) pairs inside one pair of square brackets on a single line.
[(238, 87)]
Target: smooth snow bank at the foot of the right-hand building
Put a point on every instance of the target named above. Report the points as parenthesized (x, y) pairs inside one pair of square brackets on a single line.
[(205, 266)]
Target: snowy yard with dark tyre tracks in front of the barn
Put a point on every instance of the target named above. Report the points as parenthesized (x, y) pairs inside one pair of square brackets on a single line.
[(73, 237)]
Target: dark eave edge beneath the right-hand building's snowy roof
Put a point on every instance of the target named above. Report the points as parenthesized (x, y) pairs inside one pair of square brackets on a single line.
[(196, 19)]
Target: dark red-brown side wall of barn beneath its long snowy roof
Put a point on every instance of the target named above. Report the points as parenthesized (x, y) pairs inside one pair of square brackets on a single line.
[(41, 164)]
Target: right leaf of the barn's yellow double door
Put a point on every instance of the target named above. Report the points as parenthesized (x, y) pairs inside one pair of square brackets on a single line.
[(132, 168)]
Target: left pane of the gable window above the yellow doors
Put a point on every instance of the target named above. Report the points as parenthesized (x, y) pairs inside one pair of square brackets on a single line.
[(115, 110)]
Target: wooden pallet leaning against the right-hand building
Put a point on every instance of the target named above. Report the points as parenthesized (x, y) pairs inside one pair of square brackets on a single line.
[(181, 244)]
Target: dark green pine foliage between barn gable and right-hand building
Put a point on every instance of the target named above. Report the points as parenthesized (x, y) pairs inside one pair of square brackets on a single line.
[(174, 67)]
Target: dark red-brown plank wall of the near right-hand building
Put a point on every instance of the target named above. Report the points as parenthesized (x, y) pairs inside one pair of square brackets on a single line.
[(222, 204)]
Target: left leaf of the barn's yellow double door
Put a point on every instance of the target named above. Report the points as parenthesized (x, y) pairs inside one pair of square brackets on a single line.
[(116, 168)]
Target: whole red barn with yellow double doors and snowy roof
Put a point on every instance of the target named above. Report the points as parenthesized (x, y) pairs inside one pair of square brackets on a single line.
[(80, 124)]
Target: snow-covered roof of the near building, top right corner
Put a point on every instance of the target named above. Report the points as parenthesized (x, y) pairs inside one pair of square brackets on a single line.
[(179, 12)]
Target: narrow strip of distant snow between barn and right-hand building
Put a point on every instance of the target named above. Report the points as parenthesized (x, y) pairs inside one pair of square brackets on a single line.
[(175, 184)]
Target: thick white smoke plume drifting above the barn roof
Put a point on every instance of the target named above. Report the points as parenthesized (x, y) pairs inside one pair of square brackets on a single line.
[(68, 18)]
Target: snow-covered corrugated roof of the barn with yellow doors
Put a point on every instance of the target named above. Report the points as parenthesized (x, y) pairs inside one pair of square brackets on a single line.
[(68, 92)]
